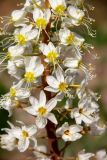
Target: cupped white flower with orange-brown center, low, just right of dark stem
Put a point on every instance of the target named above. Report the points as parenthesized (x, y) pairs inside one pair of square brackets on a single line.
[(69, 133)]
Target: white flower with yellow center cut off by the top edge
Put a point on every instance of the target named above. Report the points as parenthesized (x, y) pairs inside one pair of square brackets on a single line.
[(58, 7)]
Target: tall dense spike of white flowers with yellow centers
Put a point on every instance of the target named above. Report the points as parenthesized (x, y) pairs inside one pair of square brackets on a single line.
[(45, 54)]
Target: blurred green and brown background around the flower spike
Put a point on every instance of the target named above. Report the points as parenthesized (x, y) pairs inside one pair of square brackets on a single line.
[(99, 84)]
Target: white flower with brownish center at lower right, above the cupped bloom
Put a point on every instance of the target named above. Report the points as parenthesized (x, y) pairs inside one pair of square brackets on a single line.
[(84, 113)]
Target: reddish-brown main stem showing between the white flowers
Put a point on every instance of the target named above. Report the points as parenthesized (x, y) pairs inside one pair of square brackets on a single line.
[(50, 127)]
